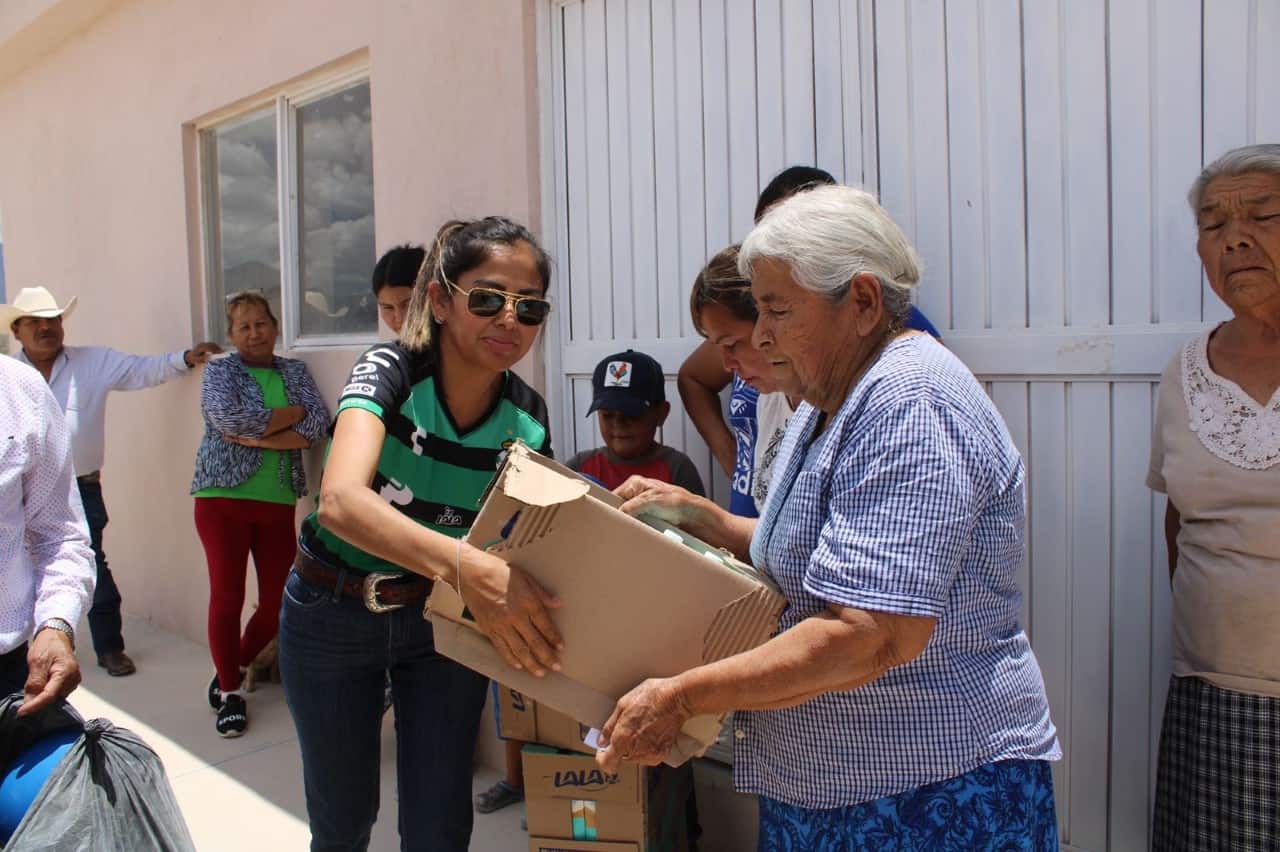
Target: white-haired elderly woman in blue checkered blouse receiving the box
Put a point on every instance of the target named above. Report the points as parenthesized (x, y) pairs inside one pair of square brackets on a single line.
[(900, 706)]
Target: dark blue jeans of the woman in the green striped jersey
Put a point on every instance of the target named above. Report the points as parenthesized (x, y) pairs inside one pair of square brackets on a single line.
[(335, 658)]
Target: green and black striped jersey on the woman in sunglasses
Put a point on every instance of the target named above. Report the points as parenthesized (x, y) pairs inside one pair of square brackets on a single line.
[(428, 470)]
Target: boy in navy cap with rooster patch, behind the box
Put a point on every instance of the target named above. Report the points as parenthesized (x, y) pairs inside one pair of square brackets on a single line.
[(630, 402)]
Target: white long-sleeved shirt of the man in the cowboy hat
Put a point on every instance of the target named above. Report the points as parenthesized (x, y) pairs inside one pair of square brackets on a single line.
[(81, 381)]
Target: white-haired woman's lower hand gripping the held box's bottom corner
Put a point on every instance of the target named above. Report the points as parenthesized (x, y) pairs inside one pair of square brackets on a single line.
[(644, 725)]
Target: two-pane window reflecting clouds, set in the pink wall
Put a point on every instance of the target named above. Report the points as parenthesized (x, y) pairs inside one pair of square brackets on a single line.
[(310, 249)]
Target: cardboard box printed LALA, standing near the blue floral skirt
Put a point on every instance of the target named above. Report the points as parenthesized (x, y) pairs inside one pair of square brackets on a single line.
[(569, 798)]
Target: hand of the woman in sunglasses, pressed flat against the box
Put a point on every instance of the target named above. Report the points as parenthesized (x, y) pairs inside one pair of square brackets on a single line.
[(511, 610)]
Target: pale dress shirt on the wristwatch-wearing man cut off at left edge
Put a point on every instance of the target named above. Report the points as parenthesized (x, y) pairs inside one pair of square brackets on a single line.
[(47, 566)]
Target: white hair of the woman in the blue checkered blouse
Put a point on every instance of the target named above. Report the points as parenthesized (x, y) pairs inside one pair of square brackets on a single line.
[(830, 235)]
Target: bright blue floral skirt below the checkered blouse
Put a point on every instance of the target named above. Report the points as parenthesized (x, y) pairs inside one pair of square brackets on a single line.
[(1005, 807)]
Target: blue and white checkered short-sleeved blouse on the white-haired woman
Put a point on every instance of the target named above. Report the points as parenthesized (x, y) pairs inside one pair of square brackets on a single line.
[(911, 502)]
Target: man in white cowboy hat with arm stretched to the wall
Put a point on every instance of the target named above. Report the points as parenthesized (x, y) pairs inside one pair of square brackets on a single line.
[(81, 378)]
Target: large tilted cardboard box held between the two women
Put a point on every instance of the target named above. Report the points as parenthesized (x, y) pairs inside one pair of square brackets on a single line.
[(641, 598)]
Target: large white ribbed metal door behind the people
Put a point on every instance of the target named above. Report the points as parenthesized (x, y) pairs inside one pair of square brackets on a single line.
[(1039, 154)]
